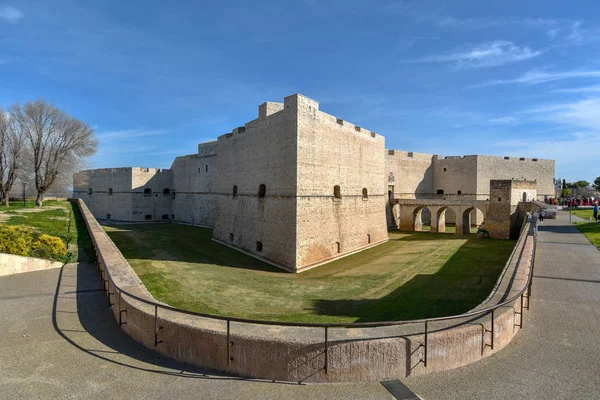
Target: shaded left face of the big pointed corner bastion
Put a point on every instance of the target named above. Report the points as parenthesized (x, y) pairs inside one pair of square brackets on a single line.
[(264, 151)]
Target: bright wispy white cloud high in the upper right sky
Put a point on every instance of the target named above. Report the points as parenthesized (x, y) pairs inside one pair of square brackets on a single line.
[(488, 54)]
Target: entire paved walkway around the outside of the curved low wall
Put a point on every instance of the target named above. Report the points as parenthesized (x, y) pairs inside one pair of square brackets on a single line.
[(59, 340)]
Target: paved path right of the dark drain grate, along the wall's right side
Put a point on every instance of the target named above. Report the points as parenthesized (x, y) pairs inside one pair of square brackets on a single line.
[(557, 355)]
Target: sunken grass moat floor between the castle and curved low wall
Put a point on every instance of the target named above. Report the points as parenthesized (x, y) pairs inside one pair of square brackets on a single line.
[(414, 275)]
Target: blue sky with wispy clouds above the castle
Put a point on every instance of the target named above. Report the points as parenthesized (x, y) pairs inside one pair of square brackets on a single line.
[(509, 78)]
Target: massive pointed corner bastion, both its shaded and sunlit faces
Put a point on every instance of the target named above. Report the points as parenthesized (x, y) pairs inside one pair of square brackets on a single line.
[(298, 187)]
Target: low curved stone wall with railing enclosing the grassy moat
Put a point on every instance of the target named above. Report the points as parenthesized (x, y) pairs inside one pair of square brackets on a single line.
[(297, 353)]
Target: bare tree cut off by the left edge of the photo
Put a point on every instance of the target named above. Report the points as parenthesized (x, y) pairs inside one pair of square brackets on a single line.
[(11, 154)]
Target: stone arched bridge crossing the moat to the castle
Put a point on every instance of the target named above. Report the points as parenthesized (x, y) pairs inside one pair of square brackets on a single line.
[(407, 213)]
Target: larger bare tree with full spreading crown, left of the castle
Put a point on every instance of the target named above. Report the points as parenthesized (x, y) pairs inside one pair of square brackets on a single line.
[(59, 143)]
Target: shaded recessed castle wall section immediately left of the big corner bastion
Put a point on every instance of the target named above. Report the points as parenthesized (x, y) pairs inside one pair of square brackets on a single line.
[(195, 184)]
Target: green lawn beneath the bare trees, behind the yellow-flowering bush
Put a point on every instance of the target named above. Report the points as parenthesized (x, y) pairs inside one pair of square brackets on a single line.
[(56, 218)]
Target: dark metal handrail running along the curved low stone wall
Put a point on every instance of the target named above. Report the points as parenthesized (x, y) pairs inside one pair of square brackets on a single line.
[(480, 312)]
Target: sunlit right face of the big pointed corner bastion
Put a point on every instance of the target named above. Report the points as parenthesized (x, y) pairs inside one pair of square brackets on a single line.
[(332, 152)]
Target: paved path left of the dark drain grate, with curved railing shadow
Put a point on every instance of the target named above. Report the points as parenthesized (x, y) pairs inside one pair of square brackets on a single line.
[(59, 340)]
